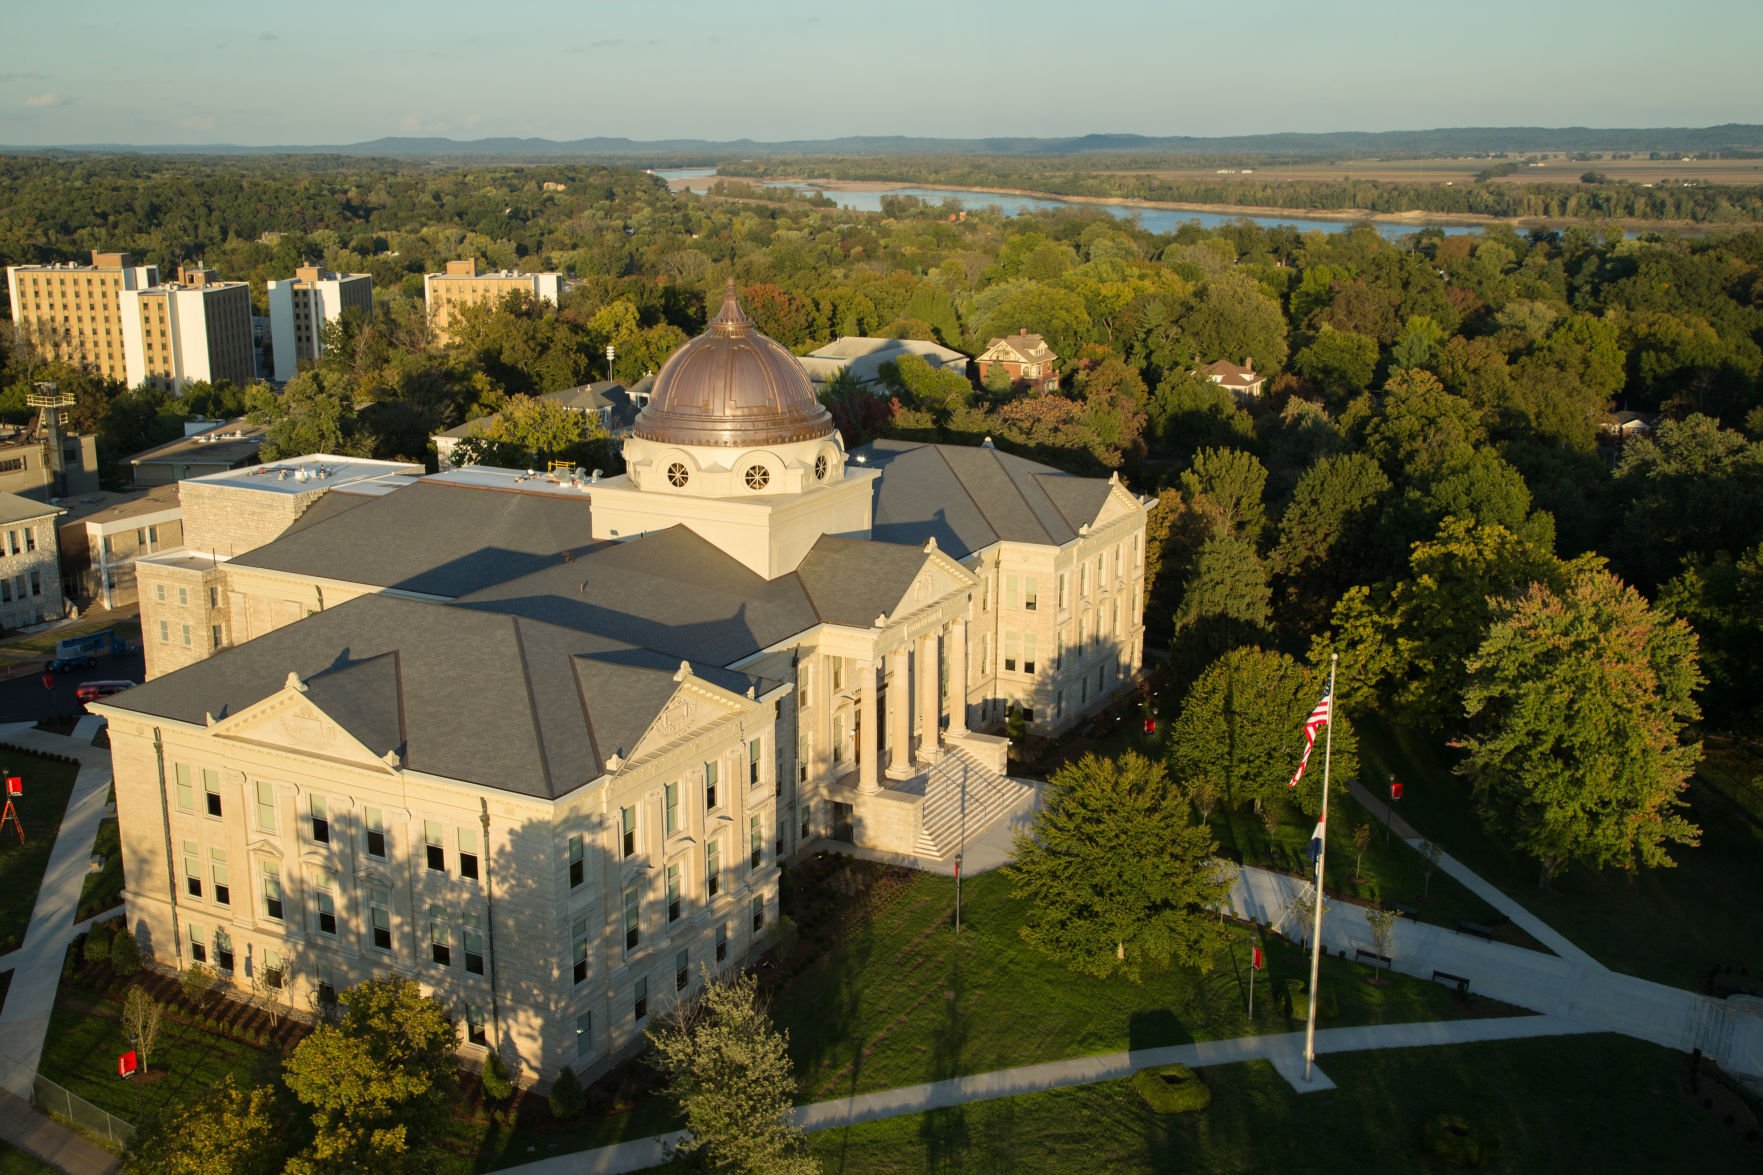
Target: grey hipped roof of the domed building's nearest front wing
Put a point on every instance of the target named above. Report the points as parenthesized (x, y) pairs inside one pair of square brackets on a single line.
[(466, 694)]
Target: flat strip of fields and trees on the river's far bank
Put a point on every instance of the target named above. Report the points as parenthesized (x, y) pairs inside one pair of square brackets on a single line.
[(1059, 177)]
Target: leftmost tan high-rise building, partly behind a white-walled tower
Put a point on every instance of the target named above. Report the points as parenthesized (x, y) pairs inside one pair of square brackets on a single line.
[(75, 311)]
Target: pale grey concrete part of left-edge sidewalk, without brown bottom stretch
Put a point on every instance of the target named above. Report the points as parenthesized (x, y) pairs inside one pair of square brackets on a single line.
[(38, 975)]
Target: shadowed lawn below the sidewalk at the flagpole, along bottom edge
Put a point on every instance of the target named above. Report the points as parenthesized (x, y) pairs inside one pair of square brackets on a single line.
[(1600, 1104)]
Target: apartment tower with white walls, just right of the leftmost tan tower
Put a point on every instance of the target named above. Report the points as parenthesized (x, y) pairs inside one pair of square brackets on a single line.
[(197, 327)]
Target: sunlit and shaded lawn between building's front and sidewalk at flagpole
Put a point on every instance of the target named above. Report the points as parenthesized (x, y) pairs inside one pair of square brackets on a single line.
[(904, 999)]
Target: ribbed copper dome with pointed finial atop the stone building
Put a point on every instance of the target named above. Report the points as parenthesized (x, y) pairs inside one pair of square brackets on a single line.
[(733, 387)]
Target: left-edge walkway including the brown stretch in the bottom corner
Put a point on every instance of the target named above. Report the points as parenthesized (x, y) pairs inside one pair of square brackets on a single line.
[(38, 975)]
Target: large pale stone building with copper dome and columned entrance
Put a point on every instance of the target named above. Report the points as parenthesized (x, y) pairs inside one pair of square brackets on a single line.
[(542, 742)]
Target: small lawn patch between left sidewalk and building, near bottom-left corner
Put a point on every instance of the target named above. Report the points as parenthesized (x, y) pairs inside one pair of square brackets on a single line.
[(84, 1044)]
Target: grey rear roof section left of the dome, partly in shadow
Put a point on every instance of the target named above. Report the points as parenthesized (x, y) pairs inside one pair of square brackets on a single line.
[(429, 537)]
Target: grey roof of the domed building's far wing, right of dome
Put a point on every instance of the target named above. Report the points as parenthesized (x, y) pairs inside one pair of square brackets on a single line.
[(971, 498)]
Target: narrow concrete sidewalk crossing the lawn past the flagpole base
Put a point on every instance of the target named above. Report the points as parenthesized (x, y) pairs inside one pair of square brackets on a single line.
[(1283, 1051)]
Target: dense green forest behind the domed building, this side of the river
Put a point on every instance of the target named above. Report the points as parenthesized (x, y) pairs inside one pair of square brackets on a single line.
[(1431, 437)]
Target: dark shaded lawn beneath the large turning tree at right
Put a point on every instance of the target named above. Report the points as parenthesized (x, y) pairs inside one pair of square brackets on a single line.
[(1665, 925)]
